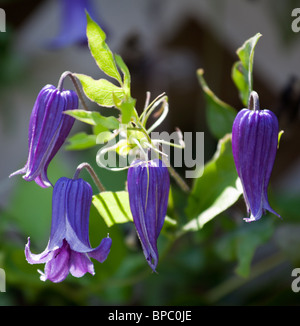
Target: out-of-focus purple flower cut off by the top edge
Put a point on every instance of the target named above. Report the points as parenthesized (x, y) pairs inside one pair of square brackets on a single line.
[(73, 23)]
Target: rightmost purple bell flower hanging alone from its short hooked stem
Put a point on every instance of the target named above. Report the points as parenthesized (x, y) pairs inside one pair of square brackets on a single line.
[(254, 147)]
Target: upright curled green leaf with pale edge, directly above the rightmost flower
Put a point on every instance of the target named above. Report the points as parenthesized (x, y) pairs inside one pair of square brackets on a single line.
[(242, 71)]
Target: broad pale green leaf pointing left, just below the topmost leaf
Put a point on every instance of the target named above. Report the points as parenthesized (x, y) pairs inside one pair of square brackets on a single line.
[(100, 91)]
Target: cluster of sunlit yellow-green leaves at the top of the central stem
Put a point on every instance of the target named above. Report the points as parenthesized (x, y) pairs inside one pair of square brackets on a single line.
[(103, 92)]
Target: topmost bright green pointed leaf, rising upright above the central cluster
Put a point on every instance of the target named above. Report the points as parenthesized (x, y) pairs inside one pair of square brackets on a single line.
[(100, 50)]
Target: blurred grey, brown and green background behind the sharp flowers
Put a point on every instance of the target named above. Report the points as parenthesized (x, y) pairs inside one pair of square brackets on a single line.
[(163, 43)]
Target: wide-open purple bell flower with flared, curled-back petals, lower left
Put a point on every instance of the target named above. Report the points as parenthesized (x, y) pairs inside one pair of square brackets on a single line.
[(69, 249)]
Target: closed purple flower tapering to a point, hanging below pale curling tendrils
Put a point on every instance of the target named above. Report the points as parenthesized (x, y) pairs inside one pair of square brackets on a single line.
[(148, 187)]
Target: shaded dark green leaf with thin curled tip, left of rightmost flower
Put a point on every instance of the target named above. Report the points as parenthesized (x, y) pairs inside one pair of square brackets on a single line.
[(219, 115)]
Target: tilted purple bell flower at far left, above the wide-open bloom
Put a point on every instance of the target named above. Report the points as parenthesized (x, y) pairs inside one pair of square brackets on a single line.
[(48, 129)]
